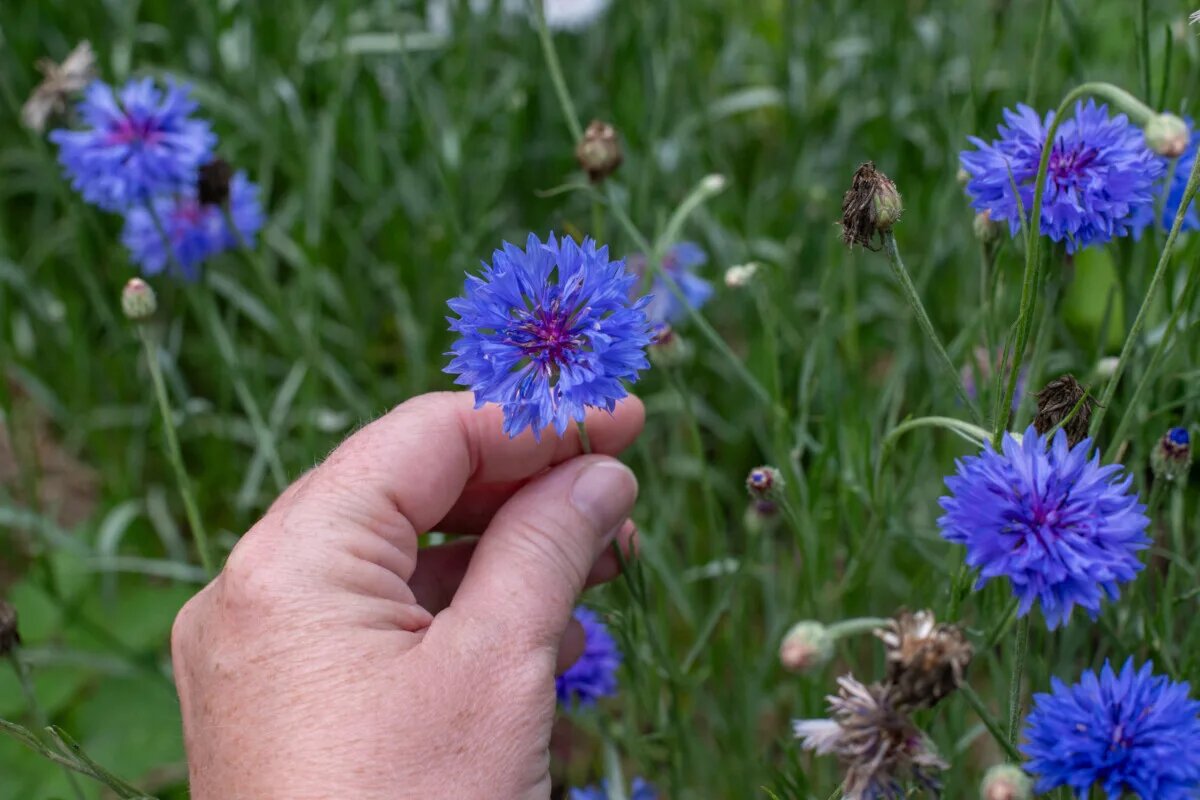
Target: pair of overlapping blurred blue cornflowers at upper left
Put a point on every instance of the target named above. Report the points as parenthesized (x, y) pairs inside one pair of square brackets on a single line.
[(140, 154)]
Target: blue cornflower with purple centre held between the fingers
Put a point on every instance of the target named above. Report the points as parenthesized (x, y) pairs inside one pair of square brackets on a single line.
[(549, 332)]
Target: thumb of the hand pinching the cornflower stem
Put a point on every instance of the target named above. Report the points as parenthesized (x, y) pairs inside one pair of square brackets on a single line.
[(533, 561)]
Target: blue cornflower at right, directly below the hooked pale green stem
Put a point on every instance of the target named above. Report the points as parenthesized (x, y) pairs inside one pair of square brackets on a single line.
[(1061, 528)]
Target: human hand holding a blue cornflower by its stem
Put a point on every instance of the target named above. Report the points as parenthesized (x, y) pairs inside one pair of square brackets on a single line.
[(332, 659)]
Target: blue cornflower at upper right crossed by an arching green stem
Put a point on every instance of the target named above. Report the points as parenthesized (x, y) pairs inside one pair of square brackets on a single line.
[(1100, 181)]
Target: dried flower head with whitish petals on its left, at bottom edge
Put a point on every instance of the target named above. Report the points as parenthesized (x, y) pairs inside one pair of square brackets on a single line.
[(875, 741)]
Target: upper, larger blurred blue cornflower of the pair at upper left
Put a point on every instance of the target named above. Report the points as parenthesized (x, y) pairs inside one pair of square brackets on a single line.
[(139, 143)]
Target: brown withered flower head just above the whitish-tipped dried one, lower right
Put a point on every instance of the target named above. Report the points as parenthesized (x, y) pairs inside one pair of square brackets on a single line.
[(927, 660)]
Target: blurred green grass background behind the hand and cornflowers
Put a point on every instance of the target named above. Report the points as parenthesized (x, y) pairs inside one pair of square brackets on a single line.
[(393, 160)]
